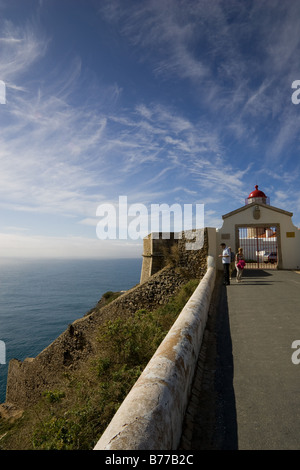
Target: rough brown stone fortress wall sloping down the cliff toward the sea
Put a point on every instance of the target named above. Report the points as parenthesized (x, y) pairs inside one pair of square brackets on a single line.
[(28, 379)]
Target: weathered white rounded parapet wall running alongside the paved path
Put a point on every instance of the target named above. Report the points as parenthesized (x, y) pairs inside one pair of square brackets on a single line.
[(151, 416)]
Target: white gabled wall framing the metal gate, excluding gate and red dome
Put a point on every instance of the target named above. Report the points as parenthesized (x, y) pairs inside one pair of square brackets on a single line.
[(288, 235)]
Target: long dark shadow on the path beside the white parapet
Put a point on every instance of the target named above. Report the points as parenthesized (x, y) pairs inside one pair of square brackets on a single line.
[(210, 422)]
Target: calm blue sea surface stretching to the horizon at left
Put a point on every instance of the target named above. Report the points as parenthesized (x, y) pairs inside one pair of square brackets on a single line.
[(40, 298)]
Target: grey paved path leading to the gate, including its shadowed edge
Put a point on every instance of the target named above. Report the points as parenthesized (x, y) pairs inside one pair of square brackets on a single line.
[(247, 390)]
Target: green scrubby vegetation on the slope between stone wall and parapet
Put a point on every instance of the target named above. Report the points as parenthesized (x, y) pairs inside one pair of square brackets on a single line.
[(74, 417)]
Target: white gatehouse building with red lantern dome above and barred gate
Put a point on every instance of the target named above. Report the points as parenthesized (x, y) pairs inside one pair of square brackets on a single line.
[(266, 233)]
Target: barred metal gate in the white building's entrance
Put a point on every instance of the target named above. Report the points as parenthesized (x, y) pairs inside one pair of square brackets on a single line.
[(259, 245)]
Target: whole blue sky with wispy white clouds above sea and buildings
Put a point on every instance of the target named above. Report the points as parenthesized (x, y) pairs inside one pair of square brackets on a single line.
[(161, 101)]
